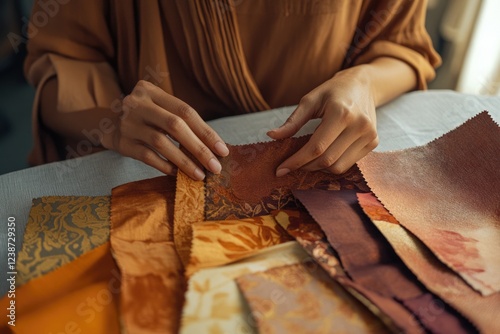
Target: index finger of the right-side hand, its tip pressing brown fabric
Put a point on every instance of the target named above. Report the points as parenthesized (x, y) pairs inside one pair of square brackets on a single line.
[(319, 142)]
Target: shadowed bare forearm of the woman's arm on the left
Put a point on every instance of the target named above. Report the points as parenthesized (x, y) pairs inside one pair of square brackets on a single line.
[(75, 125)]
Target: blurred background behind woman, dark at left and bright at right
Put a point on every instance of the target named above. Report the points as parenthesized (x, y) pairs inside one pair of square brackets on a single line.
[(464, 32)]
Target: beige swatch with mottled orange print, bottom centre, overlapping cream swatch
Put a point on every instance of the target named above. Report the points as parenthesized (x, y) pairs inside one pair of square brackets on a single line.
[(302, 298)]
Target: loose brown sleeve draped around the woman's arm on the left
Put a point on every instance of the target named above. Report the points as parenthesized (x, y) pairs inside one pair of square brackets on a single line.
[(74, 46)]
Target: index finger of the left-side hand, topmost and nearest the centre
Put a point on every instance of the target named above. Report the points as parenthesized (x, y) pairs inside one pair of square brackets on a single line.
[(199, 127)]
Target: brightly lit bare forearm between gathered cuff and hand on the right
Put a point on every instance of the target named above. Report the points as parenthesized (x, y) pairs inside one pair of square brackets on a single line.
[(387, 78)]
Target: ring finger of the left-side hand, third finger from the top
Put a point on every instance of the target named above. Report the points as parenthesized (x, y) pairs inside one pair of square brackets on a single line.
[(160, 143)]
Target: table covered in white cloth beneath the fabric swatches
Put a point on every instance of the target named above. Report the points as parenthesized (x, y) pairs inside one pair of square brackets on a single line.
[(411, 120)]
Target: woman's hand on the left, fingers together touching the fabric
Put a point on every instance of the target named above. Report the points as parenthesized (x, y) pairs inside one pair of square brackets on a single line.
[(151, 119)]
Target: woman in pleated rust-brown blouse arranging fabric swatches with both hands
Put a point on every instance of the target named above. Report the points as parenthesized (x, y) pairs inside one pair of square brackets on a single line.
[(130, 75)]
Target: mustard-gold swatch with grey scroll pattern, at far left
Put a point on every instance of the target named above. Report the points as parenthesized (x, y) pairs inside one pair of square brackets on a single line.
[(59, 230)]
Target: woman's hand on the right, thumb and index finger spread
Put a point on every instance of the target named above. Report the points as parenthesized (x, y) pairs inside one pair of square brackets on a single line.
[(347, 132)]
